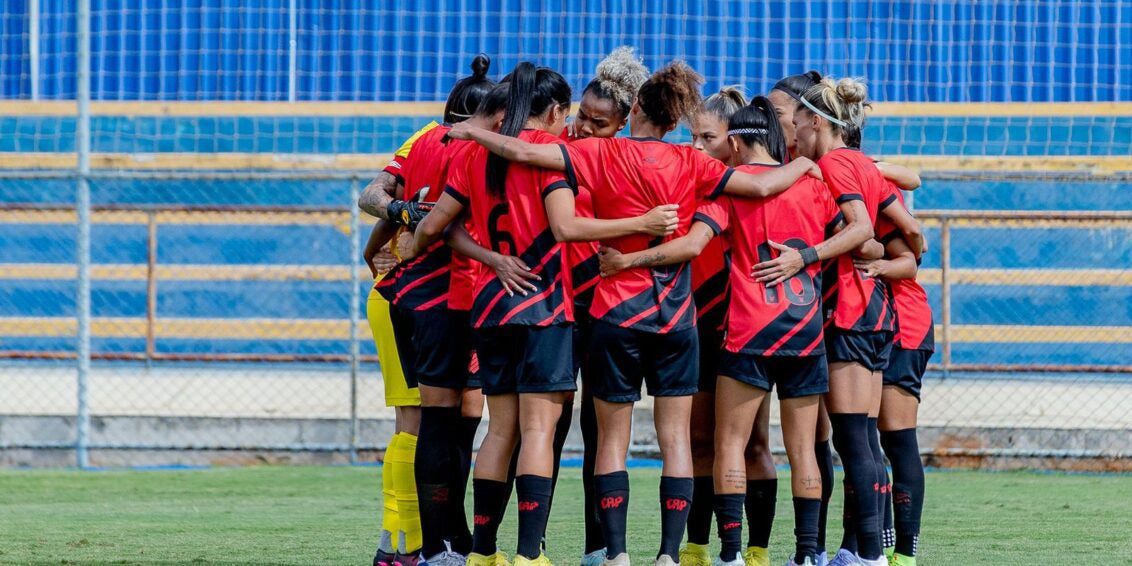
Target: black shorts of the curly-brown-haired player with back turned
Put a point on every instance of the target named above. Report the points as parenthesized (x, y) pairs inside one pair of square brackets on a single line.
[(623, 358)]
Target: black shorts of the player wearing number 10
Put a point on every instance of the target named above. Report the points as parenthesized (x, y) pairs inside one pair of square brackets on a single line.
[(795, 376)]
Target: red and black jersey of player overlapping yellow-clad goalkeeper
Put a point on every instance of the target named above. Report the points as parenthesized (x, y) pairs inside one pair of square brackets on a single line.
[(423, 284)]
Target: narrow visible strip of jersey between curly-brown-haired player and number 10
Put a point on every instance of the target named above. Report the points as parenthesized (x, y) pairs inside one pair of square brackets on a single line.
[(711, 285)]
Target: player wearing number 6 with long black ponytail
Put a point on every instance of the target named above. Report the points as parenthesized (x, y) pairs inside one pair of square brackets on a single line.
[(525, 342)]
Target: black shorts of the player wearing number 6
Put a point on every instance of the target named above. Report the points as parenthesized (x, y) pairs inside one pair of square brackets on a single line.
[(526, 359)]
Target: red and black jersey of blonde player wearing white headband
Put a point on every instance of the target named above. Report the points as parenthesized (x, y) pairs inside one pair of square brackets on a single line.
[(853, 301)]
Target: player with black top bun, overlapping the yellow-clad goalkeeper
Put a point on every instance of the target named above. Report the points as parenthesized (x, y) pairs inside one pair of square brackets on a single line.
[(423, 318)]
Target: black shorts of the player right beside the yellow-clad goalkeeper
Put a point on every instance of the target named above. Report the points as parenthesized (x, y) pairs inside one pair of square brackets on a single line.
[(435, 347)]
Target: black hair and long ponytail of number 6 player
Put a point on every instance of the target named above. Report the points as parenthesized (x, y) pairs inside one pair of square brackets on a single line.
[(531, 92)]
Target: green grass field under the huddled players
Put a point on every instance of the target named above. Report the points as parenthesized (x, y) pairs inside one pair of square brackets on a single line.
[(330, 516)]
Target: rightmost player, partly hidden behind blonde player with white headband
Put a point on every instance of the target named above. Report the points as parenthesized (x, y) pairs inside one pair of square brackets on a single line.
[(913, 348)]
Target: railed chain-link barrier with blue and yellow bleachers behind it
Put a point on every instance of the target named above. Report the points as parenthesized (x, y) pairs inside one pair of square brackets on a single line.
[(226, 332)]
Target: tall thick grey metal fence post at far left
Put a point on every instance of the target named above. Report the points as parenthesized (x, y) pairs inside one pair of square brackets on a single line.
[(83, 207)]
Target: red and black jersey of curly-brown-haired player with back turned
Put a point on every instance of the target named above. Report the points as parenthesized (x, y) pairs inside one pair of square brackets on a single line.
[(629, 177)]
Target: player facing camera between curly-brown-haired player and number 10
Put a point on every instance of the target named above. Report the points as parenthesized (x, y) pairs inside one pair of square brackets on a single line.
[(710, 293)]
